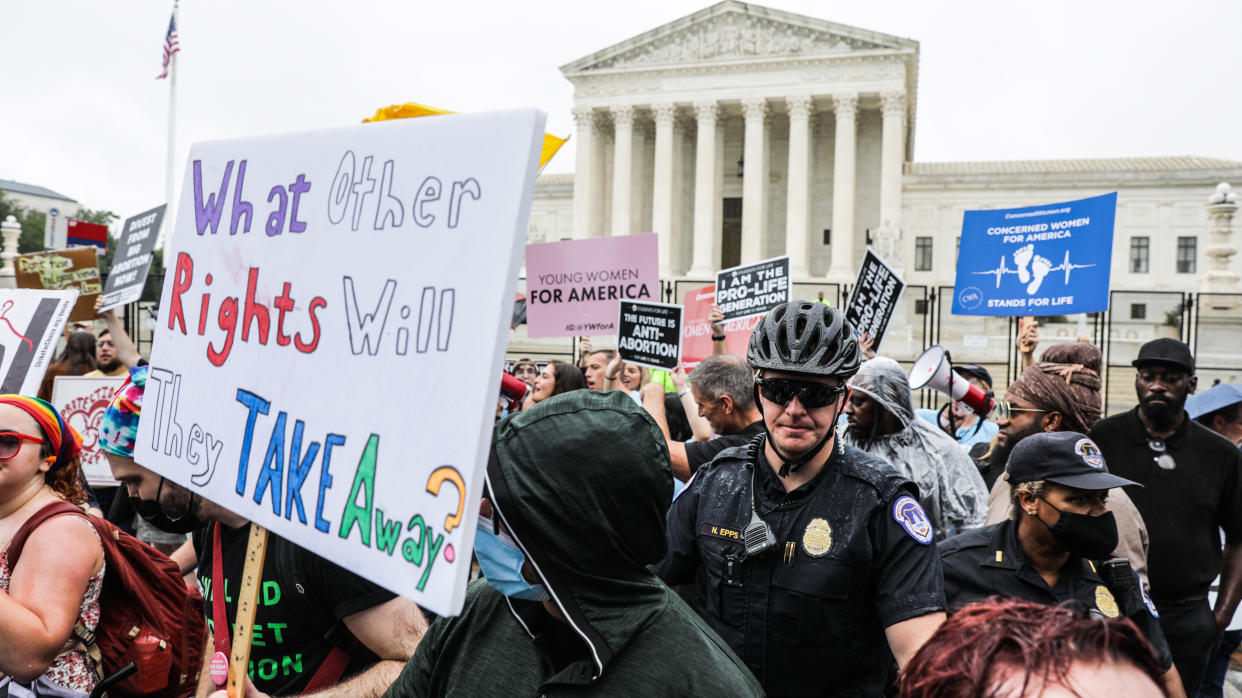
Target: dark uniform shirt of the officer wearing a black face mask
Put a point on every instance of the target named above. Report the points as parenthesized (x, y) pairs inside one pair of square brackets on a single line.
[(989, 561)]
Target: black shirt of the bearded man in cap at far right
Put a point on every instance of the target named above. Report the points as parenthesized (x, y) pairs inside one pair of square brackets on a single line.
[(1184, 509)]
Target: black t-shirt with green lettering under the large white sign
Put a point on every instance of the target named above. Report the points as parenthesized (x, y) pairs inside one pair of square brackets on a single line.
[(301, 604)]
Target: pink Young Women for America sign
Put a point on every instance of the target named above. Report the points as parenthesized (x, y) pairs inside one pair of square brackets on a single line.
[(573, 288)]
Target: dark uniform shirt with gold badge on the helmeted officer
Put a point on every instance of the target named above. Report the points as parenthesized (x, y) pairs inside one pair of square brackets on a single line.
[(809, 615)]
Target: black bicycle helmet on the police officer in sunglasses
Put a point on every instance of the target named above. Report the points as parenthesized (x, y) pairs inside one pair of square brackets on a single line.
[(805, 338)]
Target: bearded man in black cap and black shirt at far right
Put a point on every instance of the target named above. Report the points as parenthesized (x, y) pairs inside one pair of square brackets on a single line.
[(1192, 490)]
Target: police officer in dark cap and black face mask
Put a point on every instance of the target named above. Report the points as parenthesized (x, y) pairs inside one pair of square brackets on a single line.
[(1058, 545)]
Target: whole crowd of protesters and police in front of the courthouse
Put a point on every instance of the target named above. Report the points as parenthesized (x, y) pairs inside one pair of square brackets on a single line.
[(782, 523)]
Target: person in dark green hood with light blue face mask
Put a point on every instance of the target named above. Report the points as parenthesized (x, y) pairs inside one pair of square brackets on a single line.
[(573, 514)]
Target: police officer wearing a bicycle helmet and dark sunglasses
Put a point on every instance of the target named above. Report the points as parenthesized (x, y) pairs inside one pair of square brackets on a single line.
[(817, 557)]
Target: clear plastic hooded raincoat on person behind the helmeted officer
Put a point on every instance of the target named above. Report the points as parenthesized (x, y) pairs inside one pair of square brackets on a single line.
[(951, 487)]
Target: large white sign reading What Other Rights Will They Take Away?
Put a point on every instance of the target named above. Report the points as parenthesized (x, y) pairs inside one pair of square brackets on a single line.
[(324, 290)]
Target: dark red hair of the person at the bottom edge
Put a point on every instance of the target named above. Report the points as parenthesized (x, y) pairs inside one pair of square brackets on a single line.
[(964, 659)]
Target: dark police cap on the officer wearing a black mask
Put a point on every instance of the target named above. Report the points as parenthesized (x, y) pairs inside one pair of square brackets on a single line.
[(1061, 458)]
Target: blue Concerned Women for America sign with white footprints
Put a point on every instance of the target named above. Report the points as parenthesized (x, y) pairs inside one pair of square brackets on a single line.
[(1050, 260)]
